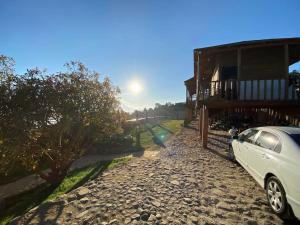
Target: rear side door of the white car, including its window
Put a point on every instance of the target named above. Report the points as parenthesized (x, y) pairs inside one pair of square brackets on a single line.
[(260, 154)]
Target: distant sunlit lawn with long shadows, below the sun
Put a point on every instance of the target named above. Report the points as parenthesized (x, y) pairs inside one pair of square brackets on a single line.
[(153, 136)]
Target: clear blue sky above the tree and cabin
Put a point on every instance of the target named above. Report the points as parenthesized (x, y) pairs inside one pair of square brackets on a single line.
[(148, 40)]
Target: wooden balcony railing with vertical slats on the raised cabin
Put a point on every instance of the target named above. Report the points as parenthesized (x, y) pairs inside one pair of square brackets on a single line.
[(251, 90)]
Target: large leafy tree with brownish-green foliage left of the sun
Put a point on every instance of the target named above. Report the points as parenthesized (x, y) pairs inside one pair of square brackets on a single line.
[(54, 118)]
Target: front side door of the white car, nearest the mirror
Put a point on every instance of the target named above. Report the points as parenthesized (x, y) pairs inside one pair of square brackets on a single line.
[(246, 140)]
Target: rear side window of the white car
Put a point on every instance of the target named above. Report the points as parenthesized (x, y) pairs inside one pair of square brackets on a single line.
[(268, 141)]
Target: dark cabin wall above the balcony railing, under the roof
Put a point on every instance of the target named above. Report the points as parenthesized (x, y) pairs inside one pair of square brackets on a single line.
[(259, 63)]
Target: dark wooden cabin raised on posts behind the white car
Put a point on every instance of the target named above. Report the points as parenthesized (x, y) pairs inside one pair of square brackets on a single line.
[(245, 78)]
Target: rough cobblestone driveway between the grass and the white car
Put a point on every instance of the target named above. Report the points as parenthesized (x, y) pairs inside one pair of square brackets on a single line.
[(184, 184)]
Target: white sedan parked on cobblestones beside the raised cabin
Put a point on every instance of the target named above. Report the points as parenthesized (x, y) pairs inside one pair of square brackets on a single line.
[(272, 156)]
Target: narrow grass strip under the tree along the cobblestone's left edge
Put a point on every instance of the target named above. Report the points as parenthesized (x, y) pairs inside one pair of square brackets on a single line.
[(24, 202)]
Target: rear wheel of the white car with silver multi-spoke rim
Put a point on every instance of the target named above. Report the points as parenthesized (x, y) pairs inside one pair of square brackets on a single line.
[(277, 198)]
